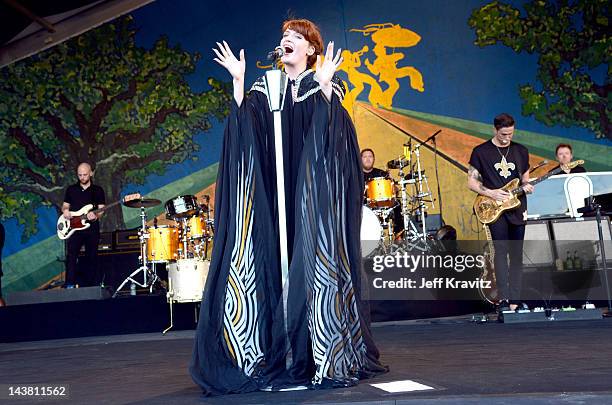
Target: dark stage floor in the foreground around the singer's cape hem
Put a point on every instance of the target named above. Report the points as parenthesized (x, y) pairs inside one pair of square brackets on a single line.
[(543, 363)]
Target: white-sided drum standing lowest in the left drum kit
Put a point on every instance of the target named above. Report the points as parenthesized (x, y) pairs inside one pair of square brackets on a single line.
[(186, 279)]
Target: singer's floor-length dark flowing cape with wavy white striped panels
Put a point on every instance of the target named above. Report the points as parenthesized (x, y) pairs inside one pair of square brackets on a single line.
[(253, 332)]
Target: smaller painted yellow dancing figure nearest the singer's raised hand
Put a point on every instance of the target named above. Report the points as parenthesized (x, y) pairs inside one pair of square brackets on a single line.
[(352, 61)]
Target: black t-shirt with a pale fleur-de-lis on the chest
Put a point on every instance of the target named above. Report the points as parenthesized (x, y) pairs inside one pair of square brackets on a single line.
[(487, 158)]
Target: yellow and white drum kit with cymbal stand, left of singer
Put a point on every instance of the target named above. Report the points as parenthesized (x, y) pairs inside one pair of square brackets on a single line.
[(182, 246)]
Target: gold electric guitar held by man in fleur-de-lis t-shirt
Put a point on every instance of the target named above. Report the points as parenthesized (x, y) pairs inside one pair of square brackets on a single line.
[(488, 210)]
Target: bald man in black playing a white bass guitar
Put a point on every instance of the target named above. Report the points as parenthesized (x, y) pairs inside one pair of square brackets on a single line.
[(77, 196)]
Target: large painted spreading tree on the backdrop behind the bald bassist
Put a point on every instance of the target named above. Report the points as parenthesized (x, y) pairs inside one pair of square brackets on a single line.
[(97, 98)]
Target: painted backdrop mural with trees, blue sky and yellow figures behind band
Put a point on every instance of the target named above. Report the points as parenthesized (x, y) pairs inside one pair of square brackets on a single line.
[(141, 100)]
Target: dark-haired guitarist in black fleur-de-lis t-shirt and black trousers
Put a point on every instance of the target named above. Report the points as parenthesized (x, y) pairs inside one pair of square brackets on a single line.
[(493, 164)]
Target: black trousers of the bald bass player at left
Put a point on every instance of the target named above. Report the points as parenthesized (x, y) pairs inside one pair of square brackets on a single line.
[(90, 240)]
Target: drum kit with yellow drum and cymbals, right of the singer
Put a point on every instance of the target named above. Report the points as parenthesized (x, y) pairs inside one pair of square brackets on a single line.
[(405, 198)]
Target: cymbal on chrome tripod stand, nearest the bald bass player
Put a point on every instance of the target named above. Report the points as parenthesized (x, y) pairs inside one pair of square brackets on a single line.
[(149, 277)]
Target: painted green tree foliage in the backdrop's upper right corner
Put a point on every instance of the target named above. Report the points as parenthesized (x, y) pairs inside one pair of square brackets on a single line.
[(573, 41)]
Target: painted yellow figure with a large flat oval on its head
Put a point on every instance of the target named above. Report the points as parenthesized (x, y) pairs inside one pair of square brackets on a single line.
[(393, 36)]
